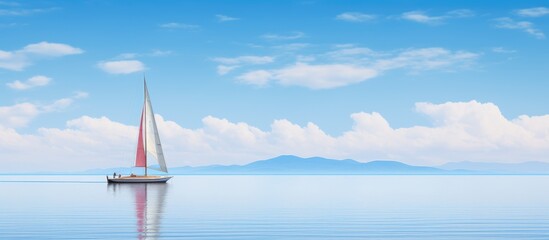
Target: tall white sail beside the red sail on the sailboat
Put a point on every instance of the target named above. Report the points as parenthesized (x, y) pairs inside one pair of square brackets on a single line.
[(153, 145)]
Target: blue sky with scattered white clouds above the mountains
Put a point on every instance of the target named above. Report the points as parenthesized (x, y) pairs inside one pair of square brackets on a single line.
[(231, 82)]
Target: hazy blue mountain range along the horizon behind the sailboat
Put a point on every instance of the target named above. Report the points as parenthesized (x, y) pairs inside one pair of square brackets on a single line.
[(289, 164)]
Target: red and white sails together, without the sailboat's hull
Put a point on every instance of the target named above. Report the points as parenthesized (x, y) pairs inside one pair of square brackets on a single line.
[(149, 141)]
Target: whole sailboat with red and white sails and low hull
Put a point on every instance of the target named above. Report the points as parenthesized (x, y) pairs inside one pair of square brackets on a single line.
[(148, 144)]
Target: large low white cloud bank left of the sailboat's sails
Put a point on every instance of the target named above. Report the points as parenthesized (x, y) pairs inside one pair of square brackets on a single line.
[(73, 147)]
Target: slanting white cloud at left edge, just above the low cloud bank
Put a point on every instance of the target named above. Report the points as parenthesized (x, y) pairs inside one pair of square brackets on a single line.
[(19, 115)]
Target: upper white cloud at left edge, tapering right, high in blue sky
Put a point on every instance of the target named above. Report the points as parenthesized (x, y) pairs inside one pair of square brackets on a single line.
[(20, 59)]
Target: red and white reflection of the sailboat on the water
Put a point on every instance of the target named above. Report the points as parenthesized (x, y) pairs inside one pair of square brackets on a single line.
[(149, 205)]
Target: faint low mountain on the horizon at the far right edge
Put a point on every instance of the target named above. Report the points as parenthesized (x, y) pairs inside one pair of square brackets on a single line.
[(499, 168)]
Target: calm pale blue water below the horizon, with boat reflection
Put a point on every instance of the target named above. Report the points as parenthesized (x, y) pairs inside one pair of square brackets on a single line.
[(276, 207)]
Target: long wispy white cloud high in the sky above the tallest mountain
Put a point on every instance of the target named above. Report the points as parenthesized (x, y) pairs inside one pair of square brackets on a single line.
[(350, 64)]
